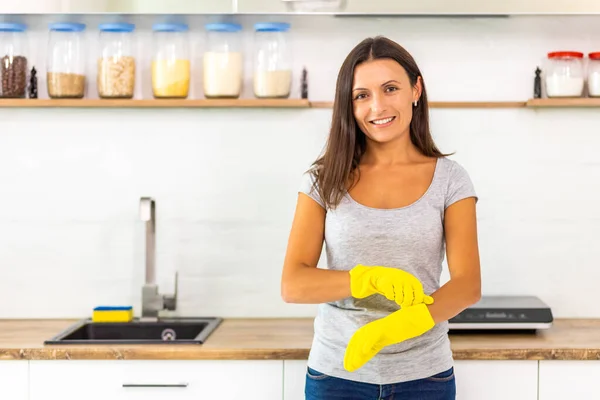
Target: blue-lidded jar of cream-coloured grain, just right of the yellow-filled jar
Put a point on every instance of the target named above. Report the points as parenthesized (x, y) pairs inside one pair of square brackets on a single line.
[(223, 61)]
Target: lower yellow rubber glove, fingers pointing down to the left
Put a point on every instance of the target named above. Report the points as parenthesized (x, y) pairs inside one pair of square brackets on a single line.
[(397, 327)]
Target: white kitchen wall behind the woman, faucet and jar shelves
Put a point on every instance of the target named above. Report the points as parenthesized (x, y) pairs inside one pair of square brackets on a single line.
[(225, 180)]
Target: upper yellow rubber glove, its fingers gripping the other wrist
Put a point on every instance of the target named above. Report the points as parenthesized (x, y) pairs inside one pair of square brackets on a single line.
[(395, 284)]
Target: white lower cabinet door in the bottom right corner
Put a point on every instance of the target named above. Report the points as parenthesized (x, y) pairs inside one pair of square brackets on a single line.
[(561, 380)]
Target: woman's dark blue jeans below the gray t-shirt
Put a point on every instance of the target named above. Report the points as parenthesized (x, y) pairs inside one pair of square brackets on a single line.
[(319, 386)]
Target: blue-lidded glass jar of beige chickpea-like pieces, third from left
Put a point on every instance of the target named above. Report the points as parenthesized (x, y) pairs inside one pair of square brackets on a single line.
[(116, 61)]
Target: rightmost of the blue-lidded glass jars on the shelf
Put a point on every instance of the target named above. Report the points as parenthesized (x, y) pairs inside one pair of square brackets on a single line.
[(272, 61)]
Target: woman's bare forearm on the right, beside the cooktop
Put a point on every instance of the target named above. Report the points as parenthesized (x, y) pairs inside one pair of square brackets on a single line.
[(452, 298)]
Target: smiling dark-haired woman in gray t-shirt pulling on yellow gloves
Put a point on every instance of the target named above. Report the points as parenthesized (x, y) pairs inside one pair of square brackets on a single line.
[(388, 204)]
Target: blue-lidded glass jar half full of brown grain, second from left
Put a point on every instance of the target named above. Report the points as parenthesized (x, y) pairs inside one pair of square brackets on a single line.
[(66, 61)]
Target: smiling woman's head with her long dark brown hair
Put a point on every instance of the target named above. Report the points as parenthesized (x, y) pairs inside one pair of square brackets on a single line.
[(378, 80)]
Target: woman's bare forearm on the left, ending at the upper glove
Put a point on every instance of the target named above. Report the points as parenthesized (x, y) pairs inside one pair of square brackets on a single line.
[(310, 285)]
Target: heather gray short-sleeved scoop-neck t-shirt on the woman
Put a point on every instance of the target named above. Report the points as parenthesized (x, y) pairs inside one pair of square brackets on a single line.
[(410, 238)]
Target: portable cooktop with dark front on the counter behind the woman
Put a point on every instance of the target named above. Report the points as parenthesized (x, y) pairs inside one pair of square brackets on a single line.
[(504, 313)]
